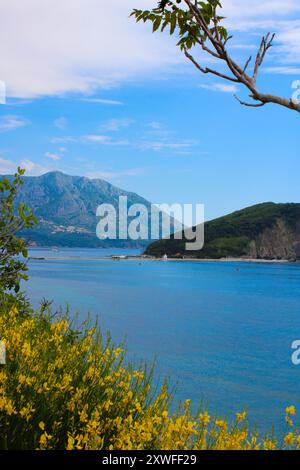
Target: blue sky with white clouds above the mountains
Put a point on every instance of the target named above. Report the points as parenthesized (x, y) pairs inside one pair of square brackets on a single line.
[(123, 105)]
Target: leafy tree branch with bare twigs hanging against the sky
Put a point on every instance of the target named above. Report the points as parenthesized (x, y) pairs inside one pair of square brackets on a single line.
[(199, 24)]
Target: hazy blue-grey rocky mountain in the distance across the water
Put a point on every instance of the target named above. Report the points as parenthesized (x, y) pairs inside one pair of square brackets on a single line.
[(66, 208)]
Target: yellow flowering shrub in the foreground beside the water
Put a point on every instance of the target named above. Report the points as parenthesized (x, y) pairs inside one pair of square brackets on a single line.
[(64, 389)]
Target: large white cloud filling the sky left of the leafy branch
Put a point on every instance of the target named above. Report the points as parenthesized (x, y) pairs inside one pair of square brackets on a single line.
[(58, 46)]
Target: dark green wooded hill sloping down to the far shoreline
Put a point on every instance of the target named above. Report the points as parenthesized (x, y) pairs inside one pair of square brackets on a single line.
[(264, 231)]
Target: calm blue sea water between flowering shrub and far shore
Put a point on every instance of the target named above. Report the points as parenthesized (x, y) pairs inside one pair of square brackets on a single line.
[(222, 332)]
